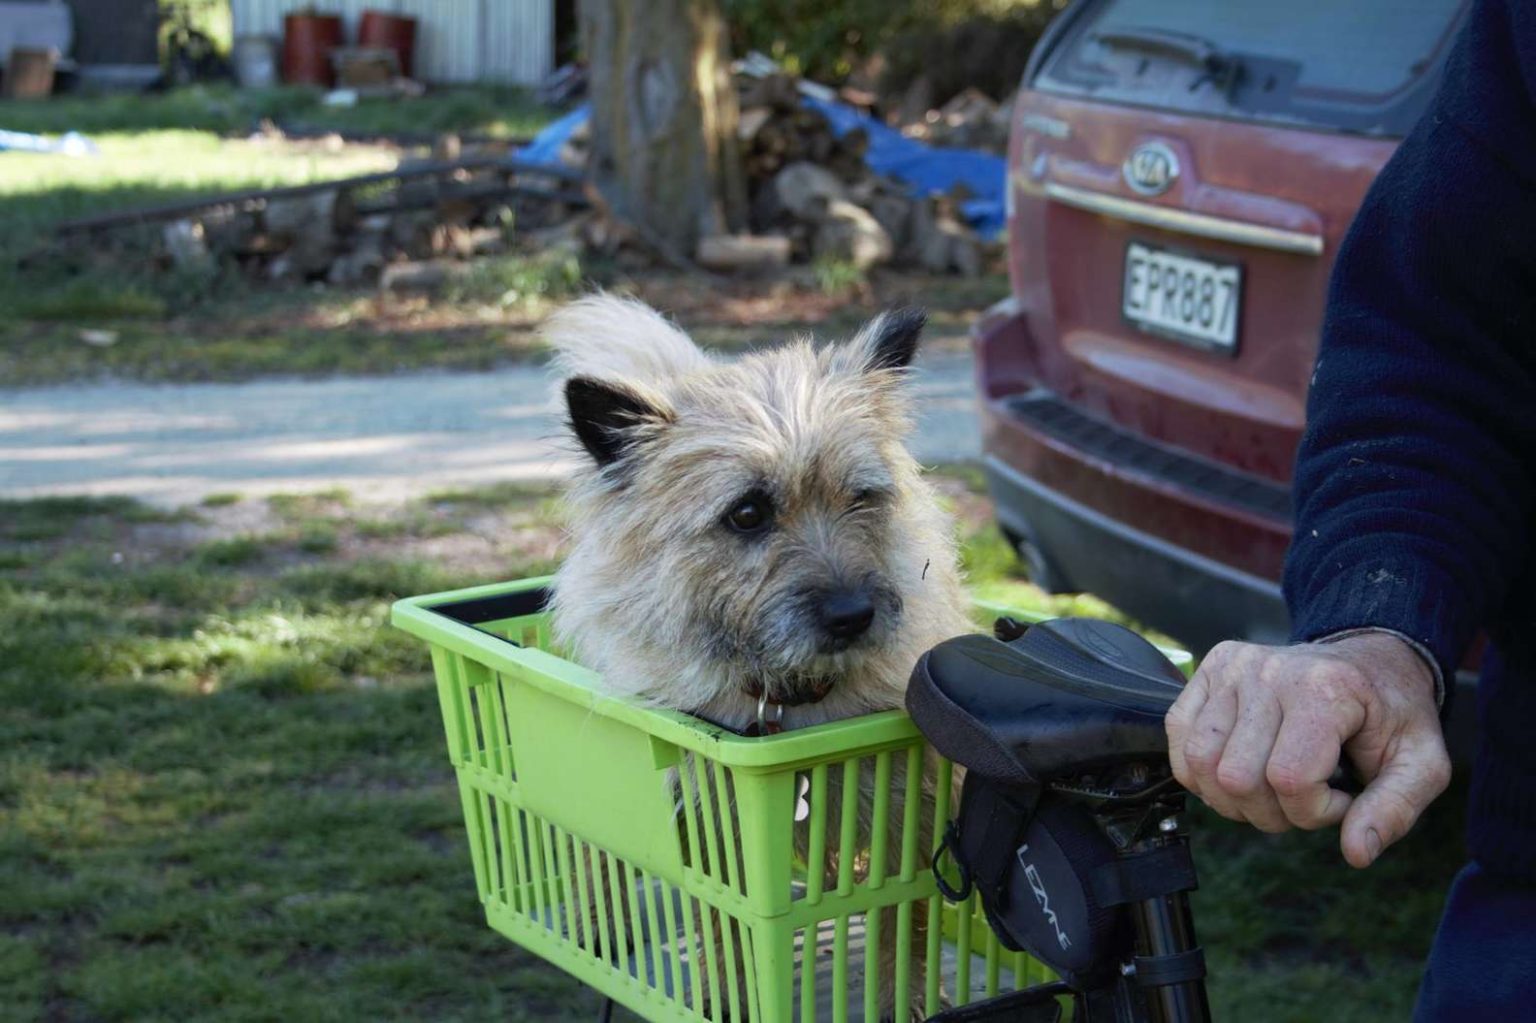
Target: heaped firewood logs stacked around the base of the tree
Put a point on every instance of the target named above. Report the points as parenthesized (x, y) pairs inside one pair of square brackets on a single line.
[(812, 197)]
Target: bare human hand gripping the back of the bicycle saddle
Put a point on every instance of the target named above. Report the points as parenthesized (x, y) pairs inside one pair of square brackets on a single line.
[(1259, 732)]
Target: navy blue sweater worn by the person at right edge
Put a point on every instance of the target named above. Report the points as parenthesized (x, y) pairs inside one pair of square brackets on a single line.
[(1415, 478)]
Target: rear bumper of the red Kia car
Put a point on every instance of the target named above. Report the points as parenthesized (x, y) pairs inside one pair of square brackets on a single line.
[(1180, 543)]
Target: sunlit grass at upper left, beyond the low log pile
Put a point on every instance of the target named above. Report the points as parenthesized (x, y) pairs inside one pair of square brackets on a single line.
[(176, 147)]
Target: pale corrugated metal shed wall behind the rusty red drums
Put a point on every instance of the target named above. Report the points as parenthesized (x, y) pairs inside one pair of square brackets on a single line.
[(457, 41)]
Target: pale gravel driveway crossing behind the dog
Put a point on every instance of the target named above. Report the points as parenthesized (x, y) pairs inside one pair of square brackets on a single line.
[(379, 437)]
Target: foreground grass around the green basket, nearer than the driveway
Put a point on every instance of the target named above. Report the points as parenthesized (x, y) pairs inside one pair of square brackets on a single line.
[(223, 790)]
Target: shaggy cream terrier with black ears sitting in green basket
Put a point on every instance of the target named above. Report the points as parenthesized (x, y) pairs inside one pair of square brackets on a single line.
[(750, 541)]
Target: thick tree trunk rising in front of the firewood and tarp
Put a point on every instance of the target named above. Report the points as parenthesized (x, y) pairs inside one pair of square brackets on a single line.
[(664, 118)]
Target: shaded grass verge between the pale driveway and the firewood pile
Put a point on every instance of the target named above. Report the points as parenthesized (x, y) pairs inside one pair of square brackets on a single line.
[(486, 322)]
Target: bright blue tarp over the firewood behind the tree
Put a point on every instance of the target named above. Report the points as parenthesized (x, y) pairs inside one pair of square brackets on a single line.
[(924, 170)]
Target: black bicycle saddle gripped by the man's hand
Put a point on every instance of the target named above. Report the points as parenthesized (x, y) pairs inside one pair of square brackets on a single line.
[(1065, 698)]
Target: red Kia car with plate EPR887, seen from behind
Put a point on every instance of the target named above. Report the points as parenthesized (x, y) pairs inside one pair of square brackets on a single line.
[(1180, 177)]
